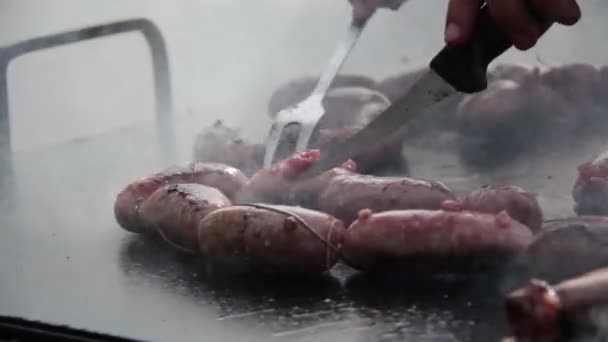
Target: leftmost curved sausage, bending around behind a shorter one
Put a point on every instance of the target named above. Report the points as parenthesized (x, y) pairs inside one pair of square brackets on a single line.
[(227, 179)]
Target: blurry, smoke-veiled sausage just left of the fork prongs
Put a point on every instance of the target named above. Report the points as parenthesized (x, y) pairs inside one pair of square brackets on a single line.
[(222, 144)]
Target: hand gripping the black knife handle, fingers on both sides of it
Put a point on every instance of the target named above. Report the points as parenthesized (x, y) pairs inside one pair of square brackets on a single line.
[(524, 21)]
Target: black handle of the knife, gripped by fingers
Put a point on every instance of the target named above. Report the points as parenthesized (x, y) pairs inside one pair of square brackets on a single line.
[(465, 66)]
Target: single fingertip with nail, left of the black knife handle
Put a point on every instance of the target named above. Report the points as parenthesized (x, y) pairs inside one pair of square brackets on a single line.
[(460, 20)]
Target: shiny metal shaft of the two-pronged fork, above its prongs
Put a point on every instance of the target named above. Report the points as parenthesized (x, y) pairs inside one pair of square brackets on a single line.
[(338, 58)]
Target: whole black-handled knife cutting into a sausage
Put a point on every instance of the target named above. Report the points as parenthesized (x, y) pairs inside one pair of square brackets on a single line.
[(454, 69)]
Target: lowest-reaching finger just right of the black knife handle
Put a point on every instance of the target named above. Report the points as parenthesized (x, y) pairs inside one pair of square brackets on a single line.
[(514, 19)]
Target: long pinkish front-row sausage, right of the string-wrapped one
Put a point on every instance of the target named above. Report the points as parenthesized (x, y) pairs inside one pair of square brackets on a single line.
[(432, 240)]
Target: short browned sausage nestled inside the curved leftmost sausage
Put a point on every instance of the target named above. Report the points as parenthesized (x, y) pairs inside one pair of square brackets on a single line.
[(176, 210)]
